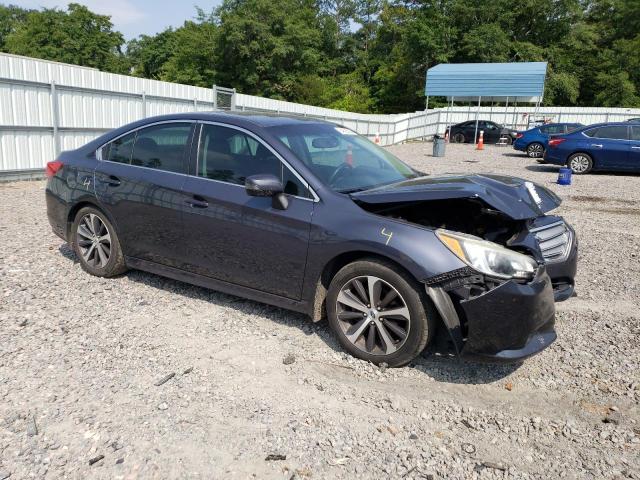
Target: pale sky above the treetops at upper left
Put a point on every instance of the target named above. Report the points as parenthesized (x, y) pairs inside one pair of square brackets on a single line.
[(132, 17)]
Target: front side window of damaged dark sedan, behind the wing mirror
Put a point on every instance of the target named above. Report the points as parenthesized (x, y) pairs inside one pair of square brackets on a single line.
[(229, 155)]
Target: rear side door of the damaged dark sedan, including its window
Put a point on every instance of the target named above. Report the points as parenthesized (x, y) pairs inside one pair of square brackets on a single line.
[(139, 183)]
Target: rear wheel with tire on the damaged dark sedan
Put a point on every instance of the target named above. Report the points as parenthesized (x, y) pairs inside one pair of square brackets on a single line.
[(95, 243)]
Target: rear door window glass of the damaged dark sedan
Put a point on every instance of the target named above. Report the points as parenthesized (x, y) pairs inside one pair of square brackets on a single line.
[(162, 147)]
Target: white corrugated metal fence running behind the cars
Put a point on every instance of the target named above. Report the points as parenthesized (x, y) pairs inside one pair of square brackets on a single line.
[(46, 107)]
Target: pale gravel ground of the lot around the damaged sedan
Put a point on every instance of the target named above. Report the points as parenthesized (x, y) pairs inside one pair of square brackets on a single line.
[(260, 392)]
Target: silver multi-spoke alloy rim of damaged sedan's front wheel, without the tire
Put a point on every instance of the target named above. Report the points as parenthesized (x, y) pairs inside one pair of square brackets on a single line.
[(373, 315)]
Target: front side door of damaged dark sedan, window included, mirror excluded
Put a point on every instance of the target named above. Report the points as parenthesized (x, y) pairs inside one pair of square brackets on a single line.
[(237, 238)]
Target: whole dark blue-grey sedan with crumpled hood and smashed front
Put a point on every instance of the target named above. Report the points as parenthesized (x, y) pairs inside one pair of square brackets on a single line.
[(311, 217)]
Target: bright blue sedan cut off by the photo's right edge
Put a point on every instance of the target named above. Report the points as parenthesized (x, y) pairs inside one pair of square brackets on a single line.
[(605, 146)]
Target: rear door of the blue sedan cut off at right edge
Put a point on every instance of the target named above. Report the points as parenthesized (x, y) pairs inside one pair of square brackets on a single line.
[(609, 146)]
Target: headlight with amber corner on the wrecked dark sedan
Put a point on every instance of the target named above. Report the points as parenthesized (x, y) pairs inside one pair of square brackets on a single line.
[(488, 257)]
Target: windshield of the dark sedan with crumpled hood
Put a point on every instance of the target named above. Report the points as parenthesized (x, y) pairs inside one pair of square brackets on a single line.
[(343, 160)]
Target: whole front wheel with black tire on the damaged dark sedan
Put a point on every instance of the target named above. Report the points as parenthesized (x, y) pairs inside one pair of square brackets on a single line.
[(379, 313)]
